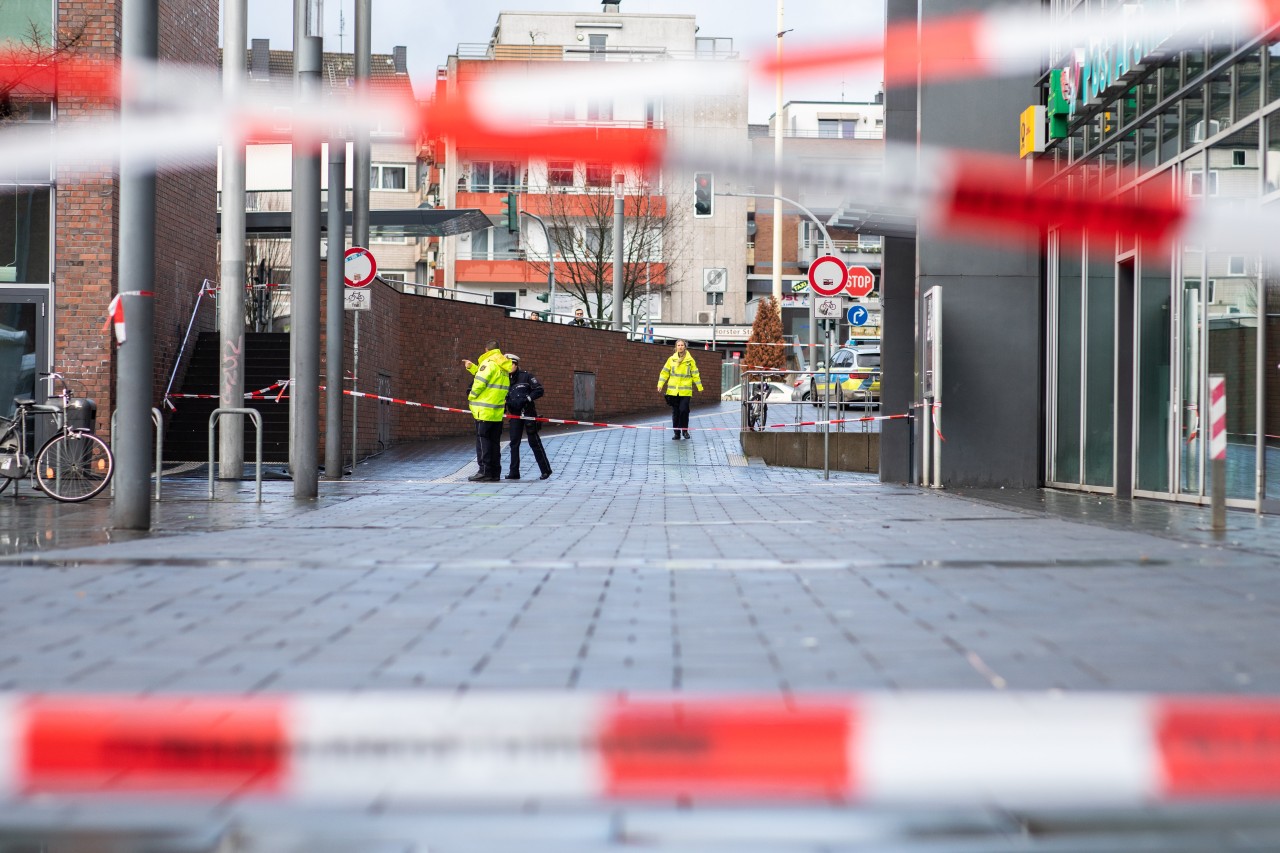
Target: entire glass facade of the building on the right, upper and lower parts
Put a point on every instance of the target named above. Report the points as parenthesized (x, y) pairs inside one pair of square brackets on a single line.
[(1136, 331)]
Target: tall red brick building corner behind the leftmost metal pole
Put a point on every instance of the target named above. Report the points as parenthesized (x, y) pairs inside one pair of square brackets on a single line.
[(86, 259)]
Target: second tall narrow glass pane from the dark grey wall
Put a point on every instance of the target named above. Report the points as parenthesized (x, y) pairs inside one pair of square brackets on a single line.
[(1100, 363)]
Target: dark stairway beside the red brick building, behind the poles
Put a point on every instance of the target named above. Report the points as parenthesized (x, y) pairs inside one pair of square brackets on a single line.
[(267, 361)]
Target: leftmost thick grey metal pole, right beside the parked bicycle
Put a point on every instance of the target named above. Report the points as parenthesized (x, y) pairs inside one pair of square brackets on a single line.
[(131, 508)]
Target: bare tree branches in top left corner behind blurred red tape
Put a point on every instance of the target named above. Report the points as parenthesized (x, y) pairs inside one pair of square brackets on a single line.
[(31, 61)]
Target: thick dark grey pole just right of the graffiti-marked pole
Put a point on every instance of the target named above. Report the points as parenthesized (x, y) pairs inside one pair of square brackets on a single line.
[(305, 279)]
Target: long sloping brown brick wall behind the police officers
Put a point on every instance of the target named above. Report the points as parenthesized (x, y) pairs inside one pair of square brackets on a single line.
[(423, 341)]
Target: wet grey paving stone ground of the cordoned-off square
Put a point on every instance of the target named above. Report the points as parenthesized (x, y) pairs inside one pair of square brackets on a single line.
[(642, 565)]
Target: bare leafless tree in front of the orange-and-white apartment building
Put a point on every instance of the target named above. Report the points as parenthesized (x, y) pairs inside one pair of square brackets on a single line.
[(582, 235)]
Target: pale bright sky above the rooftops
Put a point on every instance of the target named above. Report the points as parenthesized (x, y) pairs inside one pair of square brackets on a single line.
[(433, 29)]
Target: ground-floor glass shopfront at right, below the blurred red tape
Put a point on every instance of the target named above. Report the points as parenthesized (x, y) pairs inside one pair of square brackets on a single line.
[(1135, 334)]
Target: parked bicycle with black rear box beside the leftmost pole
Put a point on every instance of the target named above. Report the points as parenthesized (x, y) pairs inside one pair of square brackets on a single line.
[(72, 467)]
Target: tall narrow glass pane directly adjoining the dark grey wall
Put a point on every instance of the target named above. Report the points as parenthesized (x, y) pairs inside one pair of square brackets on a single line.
[(1067, 457)]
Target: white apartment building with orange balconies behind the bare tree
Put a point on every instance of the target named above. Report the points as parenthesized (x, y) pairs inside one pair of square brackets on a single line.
[(673, 256)]
